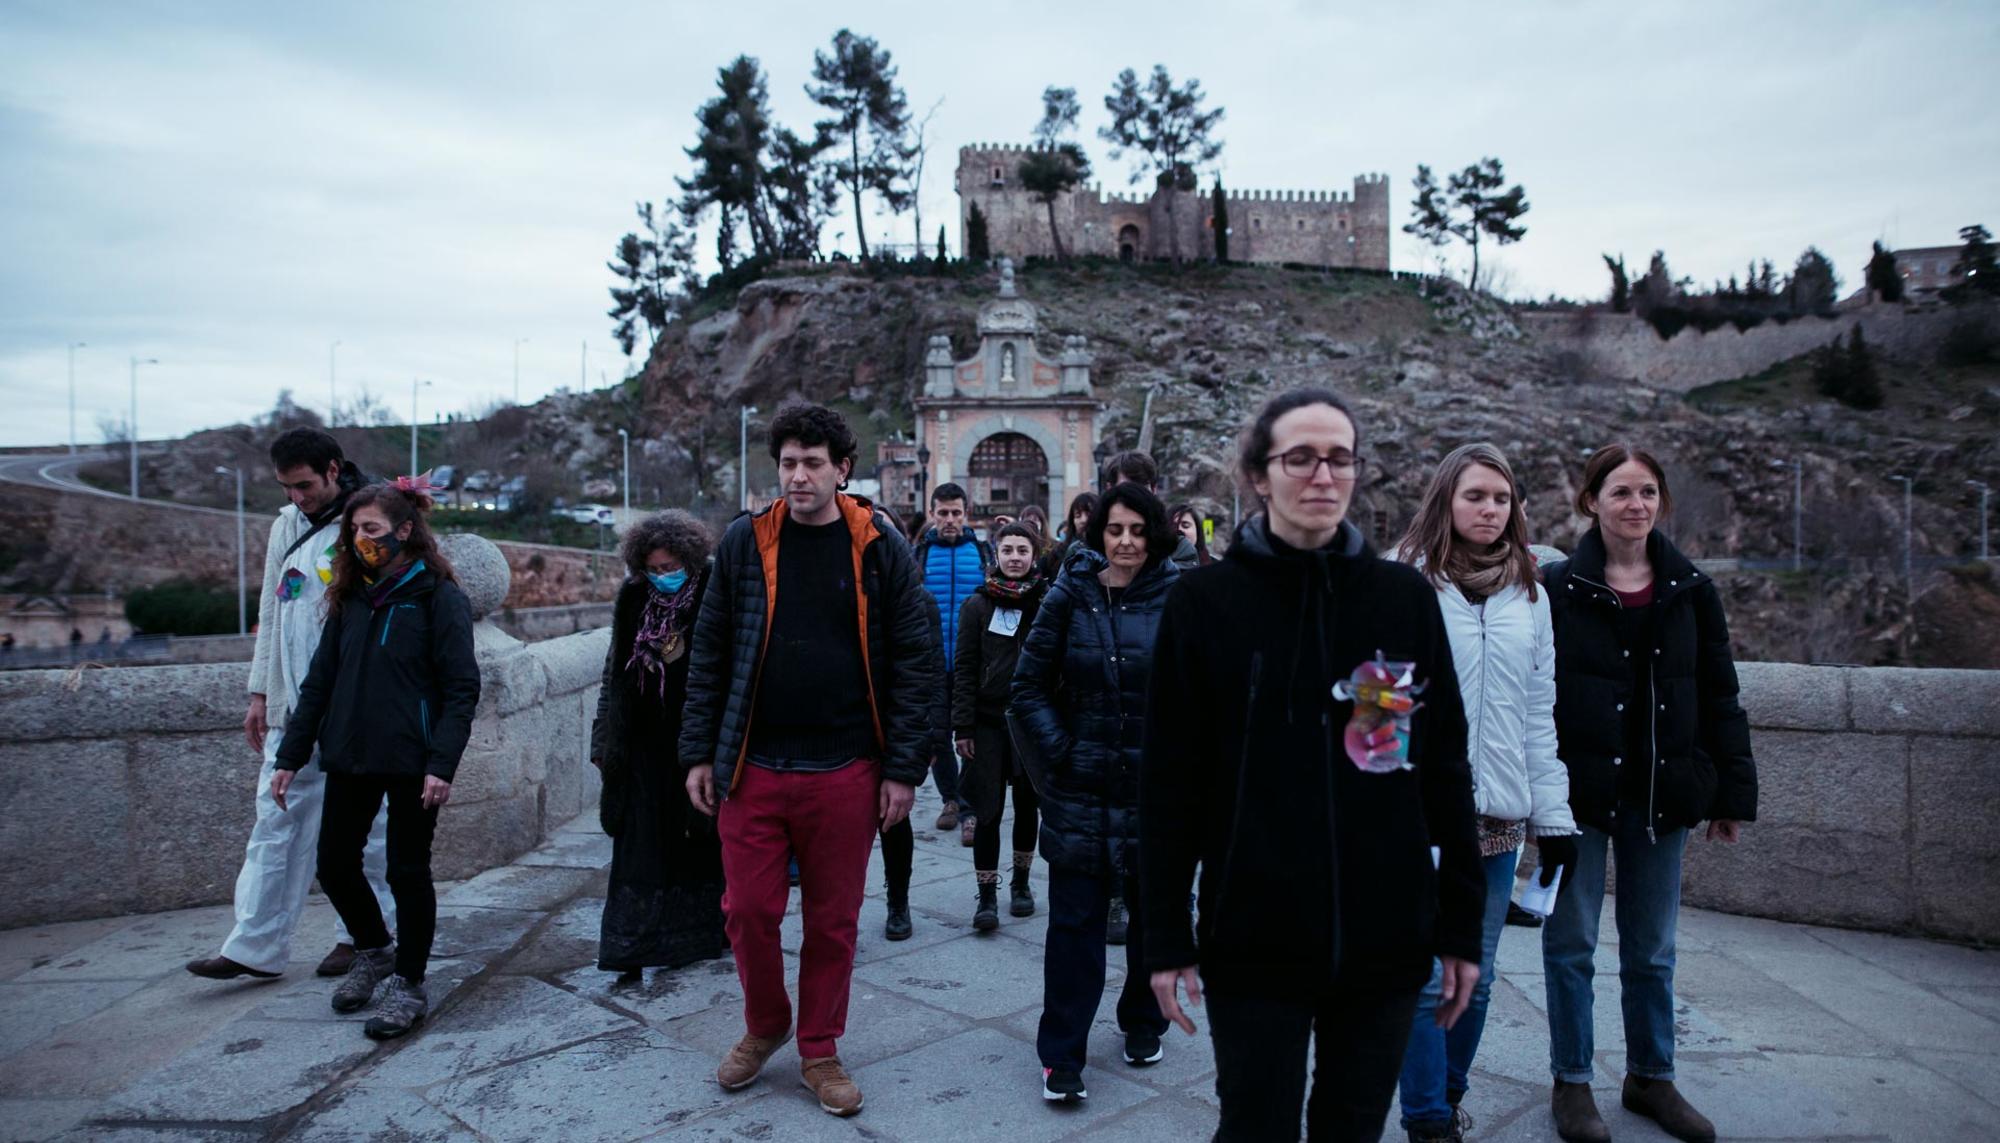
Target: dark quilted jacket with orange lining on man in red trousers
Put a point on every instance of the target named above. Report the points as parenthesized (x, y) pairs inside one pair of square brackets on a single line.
[(735, 630)]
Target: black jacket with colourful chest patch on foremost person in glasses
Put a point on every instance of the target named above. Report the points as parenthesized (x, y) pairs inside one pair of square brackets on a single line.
[(1313, 870)]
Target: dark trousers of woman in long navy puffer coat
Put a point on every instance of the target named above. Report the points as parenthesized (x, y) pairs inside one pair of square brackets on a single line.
[(1073, 968)]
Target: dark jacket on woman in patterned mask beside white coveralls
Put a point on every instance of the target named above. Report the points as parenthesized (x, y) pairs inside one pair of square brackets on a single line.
[(393, 686)]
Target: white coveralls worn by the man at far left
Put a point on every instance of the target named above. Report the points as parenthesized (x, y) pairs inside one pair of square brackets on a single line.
[(283, 854)]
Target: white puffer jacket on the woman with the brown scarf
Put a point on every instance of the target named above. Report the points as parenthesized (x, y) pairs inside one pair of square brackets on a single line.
[(1507, 672)]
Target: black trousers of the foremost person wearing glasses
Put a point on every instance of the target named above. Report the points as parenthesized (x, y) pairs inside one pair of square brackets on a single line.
[(1261, 1042)]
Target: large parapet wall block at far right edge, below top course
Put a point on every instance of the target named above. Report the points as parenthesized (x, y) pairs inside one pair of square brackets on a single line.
[(1955, 788)]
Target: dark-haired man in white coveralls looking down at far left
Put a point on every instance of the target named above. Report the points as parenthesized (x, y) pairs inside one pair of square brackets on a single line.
[(283, 854)]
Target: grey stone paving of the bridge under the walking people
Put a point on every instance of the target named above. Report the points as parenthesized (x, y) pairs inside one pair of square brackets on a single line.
[(1785, 1034)]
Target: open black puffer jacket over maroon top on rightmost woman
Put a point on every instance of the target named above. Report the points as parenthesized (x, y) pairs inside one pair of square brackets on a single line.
[(1701, 736)]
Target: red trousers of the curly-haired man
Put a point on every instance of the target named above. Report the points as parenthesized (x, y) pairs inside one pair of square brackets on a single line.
[(829, 822)]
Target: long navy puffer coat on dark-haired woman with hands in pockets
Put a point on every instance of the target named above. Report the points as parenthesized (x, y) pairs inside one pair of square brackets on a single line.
[(1081, 702)]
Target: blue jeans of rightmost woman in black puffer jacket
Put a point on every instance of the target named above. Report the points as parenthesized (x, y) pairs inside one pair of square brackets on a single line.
[(1649, 906)]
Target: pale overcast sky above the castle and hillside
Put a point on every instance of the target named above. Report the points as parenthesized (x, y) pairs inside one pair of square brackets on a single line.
[(231, 189)]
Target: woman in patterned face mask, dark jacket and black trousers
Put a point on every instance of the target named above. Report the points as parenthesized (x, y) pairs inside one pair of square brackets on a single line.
[(389, 702)]
